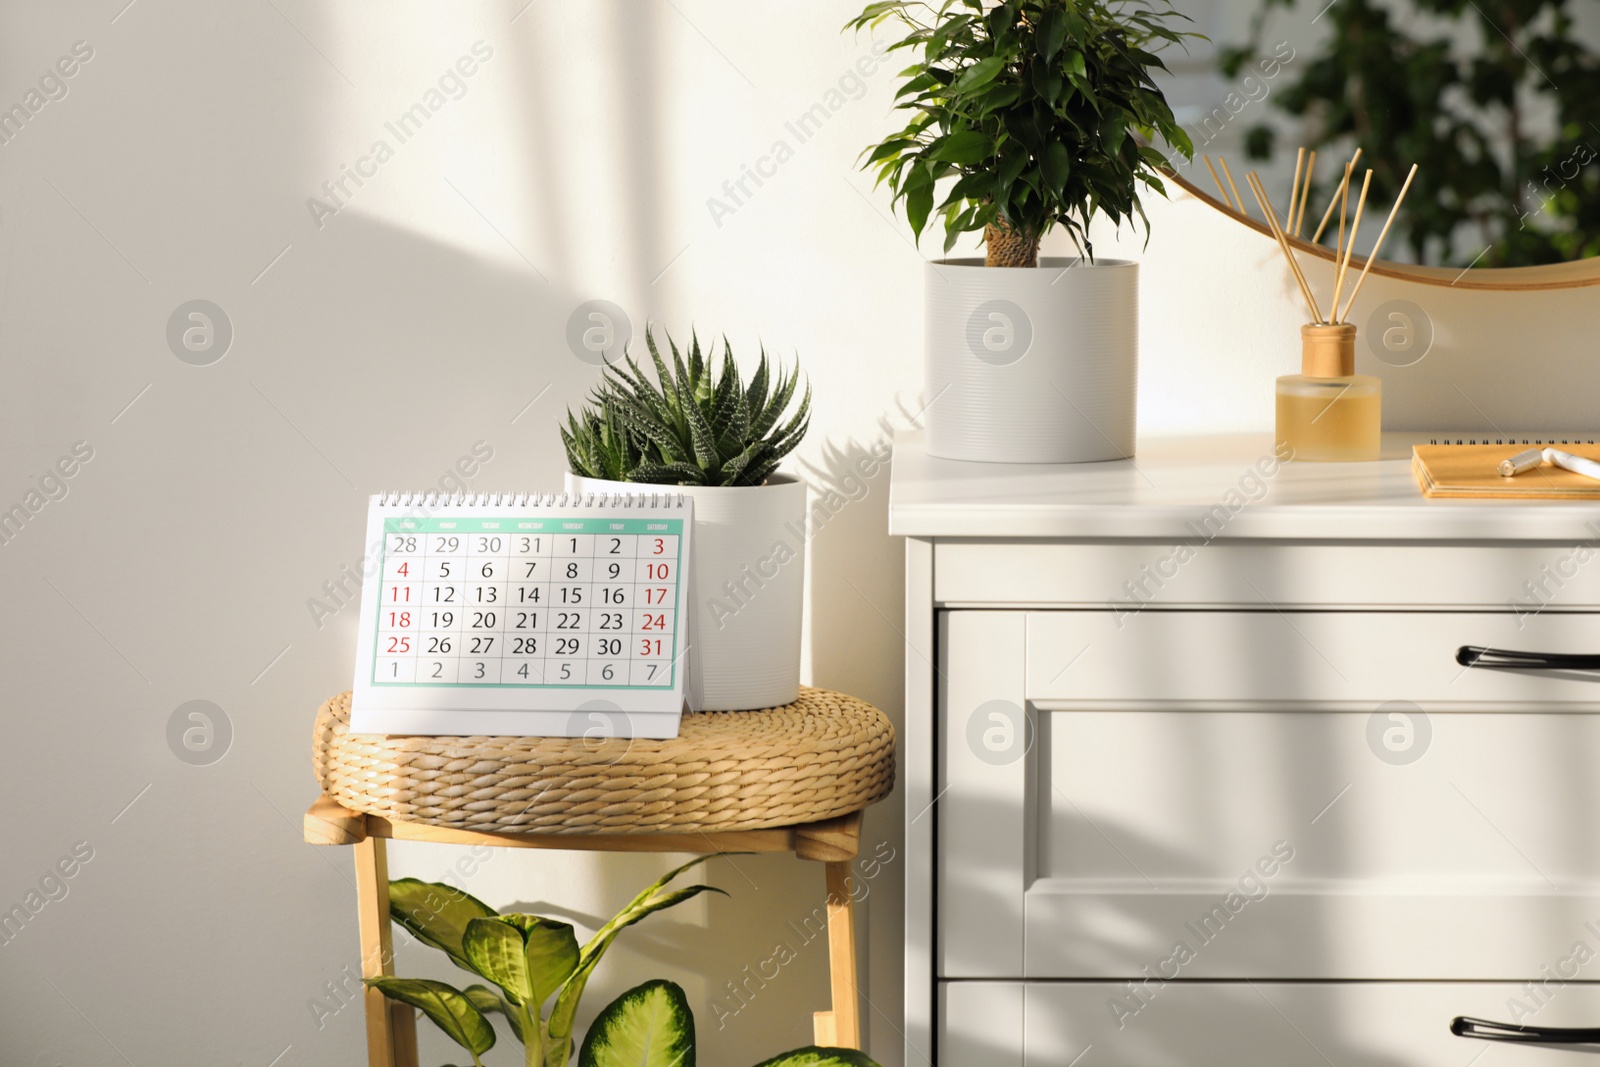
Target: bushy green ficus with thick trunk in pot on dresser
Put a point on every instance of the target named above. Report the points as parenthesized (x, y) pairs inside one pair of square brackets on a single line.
[(1026, 116)]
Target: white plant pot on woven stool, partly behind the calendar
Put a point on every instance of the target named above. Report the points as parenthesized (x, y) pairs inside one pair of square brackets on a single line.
[(746, 585)]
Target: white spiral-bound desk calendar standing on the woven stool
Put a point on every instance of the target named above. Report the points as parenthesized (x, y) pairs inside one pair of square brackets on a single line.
[(526, 615)]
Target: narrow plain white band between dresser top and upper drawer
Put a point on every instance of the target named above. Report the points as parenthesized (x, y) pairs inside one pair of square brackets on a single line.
[(1135, 577)]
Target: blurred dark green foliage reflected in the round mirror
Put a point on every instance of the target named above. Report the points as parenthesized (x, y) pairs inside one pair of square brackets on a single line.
[(1465, 116)]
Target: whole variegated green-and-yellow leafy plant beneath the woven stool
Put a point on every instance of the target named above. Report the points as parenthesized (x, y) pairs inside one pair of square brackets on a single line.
[(534, 962)]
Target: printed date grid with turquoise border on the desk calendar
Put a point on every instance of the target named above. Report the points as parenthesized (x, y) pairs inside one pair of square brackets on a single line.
[(532, 604)]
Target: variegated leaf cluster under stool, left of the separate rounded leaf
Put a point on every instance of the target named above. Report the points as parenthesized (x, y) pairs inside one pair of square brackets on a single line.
[(529, 957)]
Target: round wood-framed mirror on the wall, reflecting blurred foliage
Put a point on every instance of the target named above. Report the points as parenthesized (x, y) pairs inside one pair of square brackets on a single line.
[(1497, 102)]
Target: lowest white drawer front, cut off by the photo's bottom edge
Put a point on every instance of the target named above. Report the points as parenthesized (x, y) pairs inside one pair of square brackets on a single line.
[(1250, 1025)]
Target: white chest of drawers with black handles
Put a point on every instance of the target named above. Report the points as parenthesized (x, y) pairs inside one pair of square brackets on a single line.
[(1194, 775)]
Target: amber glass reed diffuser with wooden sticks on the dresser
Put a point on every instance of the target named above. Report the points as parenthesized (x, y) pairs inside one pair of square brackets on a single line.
[(1326, 414)]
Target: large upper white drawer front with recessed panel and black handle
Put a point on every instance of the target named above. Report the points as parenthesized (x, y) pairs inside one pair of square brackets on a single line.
[(1249, 796)]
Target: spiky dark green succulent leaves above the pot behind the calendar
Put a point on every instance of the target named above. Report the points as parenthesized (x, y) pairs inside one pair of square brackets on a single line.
[(698, 425)]
